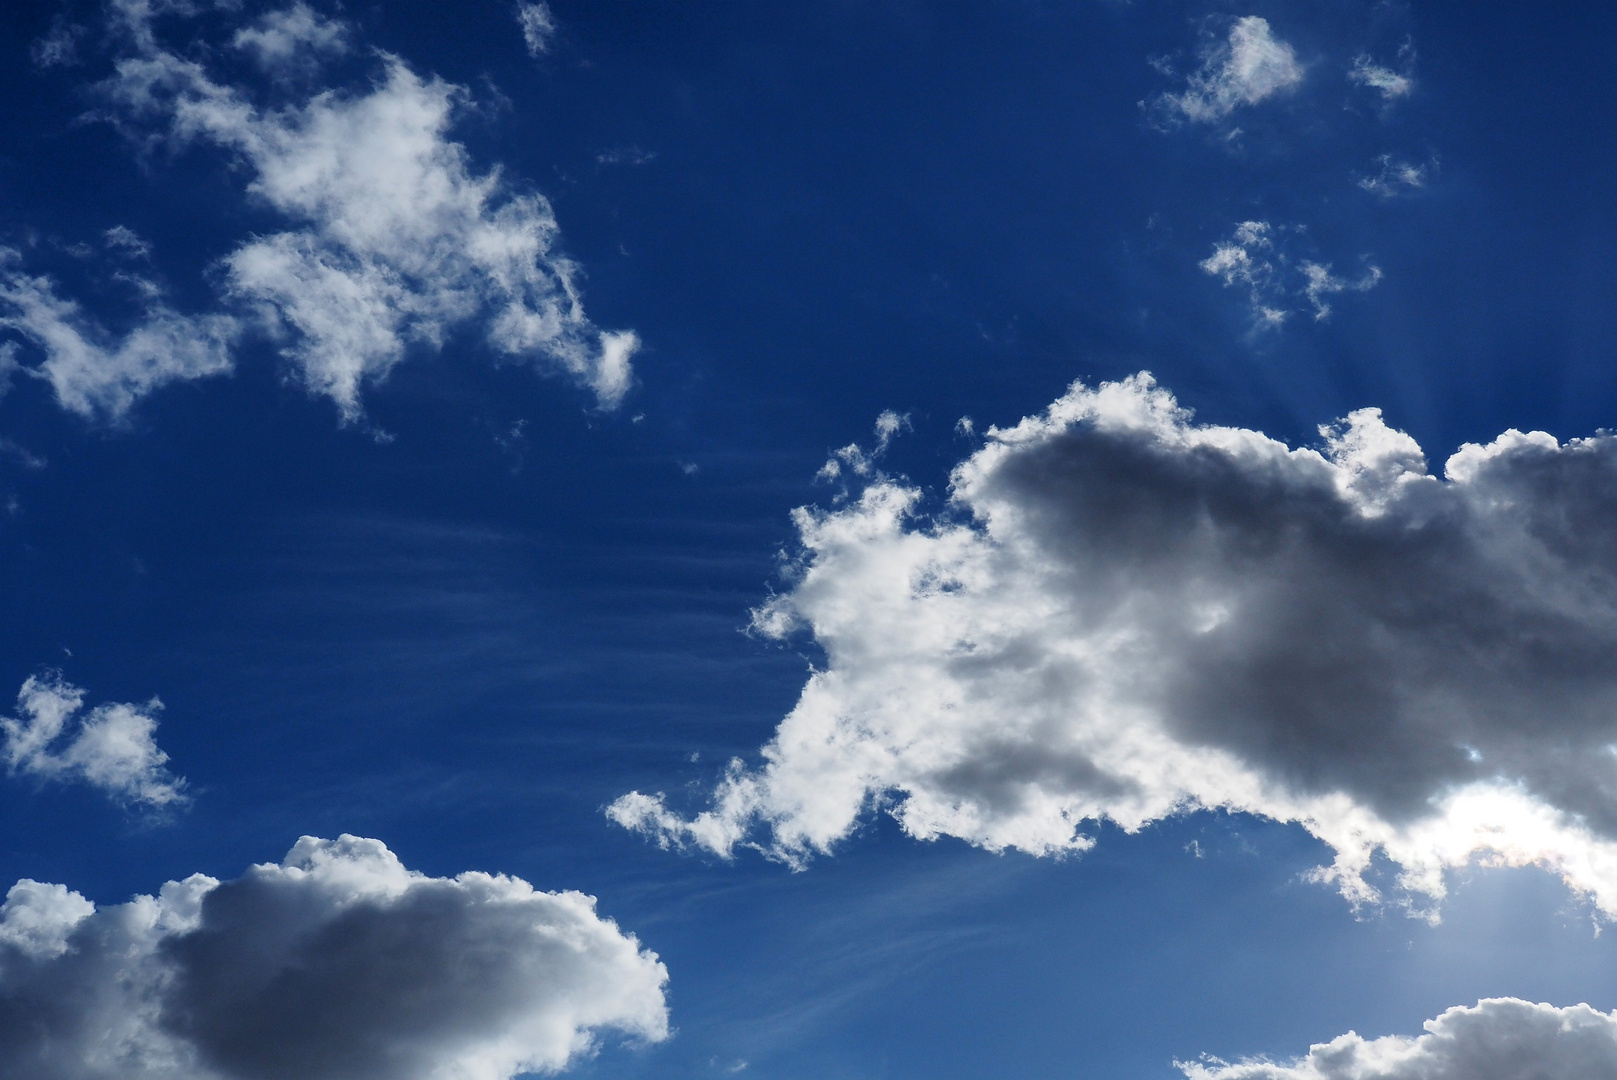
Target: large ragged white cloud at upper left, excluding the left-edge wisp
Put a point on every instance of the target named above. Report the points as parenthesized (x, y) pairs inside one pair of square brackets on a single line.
[(395, 238)]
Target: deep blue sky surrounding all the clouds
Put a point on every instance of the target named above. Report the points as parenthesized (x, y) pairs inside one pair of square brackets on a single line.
[(467, 643)]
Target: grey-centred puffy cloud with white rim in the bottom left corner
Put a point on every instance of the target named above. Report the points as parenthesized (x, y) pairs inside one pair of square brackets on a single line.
[(334, 964)]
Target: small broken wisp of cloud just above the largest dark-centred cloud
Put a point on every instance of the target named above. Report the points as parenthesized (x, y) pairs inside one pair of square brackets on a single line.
[(1254, 259)]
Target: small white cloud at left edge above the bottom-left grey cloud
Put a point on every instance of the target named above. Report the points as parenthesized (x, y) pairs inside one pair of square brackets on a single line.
[(111, 748)]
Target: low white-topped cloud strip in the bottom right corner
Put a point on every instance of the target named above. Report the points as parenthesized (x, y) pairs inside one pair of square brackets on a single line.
[(1500, 1039)]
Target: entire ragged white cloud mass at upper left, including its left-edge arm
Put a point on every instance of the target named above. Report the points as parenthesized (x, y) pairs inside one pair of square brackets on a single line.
[(391, 240)]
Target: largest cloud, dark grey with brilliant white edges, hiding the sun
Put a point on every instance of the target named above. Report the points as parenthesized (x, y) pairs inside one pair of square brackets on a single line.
[(1126, 615)]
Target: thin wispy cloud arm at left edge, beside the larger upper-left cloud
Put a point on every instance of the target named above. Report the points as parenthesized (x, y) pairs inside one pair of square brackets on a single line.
[(96, 373)]
